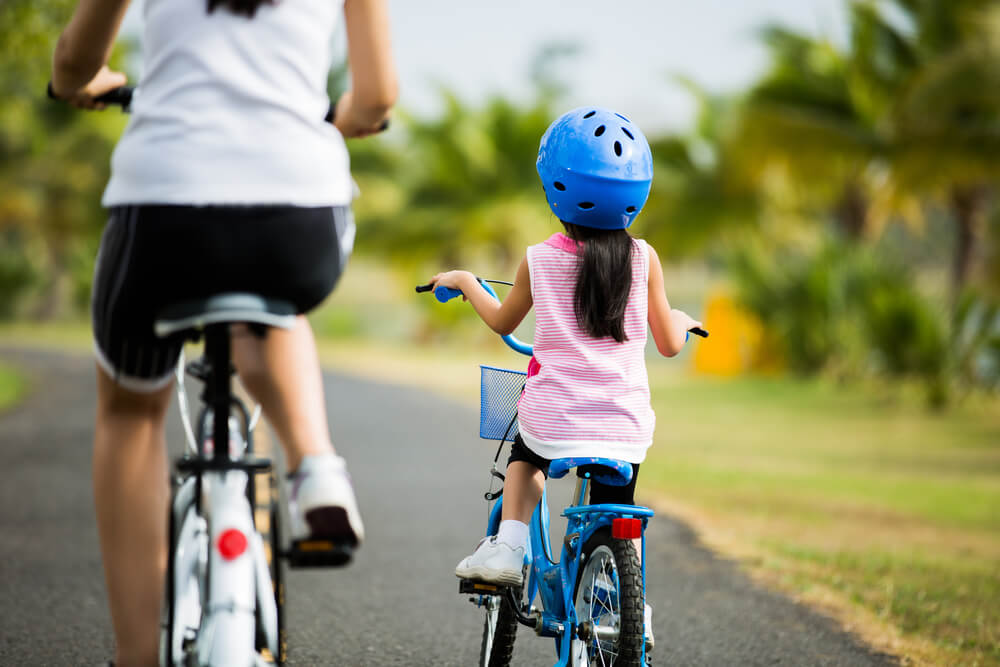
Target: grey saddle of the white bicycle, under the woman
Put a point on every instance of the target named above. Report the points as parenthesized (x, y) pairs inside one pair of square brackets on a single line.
[(229, 307)]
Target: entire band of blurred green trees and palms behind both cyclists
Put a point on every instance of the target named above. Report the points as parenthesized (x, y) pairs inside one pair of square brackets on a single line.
[(844, 206)]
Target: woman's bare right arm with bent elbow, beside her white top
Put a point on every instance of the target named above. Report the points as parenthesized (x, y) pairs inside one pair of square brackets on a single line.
[(362, 109)]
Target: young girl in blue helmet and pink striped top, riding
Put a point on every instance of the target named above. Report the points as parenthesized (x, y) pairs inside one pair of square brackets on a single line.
[(594, 289)]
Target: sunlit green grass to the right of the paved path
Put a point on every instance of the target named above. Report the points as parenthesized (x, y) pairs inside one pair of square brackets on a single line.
[(850, 490)]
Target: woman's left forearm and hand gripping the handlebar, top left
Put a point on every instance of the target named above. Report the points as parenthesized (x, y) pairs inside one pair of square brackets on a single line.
[(79, 65)]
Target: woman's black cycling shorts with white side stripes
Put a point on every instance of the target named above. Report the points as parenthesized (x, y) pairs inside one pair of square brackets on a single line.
[(154, 256)]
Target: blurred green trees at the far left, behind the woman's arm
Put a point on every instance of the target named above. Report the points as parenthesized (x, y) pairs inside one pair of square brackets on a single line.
[(53, 159)]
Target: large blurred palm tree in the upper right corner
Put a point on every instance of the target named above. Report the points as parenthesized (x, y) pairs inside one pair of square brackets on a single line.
[(906, 116)]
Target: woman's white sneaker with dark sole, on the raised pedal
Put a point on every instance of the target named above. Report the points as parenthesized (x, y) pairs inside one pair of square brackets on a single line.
[(321, 501)]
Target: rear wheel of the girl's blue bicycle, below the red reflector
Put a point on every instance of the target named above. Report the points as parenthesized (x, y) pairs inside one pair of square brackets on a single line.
[(609, 563)]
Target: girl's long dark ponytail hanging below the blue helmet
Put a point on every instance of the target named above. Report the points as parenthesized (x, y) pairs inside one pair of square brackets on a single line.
[(604, 281)]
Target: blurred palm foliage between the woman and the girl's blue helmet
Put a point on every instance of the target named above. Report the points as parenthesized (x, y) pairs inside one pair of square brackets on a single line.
[(461, 182)]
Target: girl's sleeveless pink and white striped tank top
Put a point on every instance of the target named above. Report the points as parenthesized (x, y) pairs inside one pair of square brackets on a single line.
[(591, 395)]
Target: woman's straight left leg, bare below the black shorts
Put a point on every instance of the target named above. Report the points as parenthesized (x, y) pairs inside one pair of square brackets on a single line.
[(131, 497)]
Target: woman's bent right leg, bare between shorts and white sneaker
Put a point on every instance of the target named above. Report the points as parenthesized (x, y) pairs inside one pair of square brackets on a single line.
[(281, 371)]
